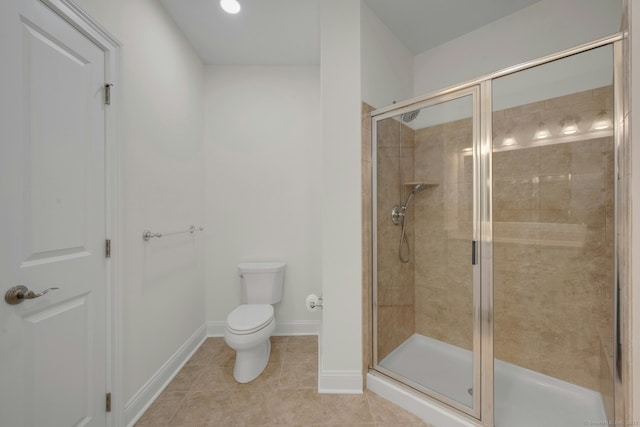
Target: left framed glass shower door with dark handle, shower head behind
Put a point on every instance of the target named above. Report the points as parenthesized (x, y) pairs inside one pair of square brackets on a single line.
[(426, 285)]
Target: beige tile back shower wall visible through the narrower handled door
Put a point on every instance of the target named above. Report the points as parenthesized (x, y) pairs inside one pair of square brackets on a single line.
[(443, 212)]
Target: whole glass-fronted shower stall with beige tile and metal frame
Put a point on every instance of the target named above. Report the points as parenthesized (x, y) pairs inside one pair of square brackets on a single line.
[(494, 243)]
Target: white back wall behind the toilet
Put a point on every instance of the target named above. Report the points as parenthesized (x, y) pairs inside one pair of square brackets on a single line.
[(263, 183)]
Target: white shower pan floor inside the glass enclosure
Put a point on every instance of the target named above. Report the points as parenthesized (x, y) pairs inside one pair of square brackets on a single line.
[(523, 398)]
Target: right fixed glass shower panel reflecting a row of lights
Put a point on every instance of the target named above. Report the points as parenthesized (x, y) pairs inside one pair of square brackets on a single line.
[(553, 221)]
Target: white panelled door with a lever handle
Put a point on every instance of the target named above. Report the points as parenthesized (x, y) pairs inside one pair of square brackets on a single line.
[(52, 220)]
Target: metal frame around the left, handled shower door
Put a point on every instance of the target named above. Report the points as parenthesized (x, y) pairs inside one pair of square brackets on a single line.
[(474, 92)]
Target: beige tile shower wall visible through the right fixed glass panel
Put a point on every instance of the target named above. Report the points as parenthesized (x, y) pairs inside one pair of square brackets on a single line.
[(553, 251)]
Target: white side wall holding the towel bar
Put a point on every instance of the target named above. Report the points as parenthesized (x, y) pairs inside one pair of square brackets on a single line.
[(161, 136)]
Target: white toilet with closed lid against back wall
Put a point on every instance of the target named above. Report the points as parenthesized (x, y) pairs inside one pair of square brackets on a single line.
[(250, 325)]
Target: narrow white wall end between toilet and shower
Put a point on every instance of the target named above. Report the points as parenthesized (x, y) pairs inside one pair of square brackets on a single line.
[(341, 339)]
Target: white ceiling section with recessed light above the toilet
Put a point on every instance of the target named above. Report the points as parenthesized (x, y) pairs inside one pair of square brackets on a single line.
[(265, 32)]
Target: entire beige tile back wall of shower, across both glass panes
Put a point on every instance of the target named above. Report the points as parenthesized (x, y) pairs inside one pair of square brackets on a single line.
[(553, 229)]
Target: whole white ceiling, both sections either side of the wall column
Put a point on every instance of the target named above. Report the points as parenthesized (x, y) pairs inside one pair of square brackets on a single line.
[(287, 32)]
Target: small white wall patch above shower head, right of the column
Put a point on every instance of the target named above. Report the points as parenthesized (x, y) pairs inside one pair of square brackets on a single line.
[(387, 65)]
